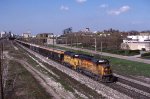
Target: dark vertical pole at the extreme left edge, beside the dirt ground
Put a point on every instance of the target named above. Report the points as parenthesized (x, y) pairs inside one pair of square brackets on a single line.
[(1, 73)]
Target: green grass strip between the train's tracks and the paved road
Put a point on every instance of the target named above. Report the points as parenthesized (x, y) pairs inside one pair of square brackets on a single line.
[(122, 66)]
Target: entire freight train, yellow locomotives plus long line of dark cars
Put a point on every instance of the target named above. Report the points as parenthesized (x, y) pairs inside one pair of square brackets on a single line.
[(99, 69)]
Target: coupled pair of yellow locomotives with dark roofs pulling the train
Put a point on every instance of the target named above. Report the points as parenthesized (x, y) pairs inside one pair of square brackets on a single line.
[(98, 69)]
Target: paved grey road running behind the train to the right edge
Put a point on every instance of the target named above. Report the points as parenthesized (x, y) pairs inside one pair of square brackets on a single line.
[(130, 58)]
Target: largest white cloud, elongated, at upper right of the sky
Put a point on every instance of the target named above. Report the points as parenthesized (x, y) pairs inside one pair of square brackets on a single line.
[(119, 11)]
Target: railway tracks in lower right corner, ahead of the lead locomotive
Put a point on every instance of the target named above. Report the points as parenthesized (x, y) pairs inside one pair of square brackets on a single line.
[(129, 87)]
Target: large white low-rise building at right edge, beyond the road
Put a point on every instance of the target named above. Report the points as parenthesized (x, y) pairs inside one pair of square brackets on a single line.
[(137, 42)]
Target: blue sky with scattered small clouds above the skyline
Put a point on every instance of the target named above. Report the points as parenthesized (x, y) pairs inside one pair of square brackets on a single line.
[(40, 16)]
